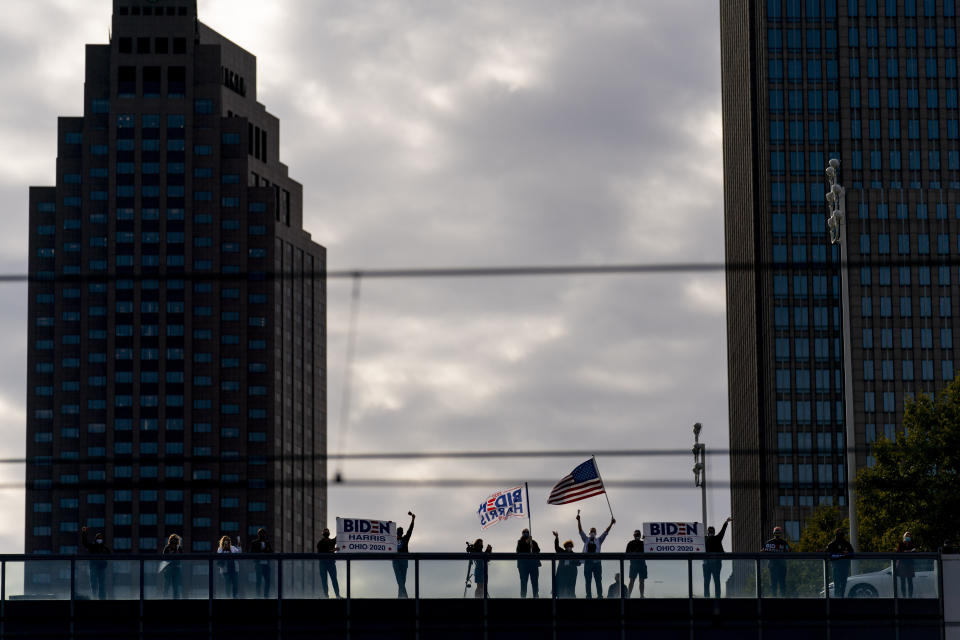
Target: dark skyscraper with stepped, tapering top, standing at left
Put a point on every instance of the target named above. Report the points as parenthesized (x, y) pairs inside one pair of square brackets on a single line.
[(177, 376)]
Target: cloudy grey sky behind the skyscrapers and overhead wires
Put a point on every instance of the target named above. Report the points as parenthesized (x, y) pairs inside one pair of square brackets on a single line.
[(430, 133)]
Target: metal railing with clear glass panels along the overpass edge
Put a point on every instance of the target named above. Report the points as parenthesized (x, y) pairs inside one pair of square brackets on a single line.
[(458, 575)]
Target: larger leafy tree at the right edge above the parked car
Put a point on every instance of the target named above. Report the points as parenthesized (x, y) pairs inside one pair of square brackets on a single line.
[(913, 485)]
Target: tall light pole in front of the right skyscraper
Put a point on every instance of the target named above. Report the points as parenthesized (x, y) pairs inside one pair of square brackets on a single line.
[(837, 205)]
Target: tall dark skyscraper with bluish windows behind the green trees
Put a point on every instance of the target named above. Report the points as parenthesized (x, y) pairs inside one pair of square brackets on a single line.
[(873, 83)]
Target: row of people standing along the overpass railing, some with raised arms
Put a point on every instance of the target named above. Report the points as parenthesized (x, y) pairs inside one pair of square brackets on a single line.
[(528, 565)]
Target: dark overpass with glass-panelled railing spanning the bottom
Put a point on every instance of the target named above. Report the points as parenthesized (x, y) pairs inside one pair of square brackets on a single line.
[(282, 596)]
